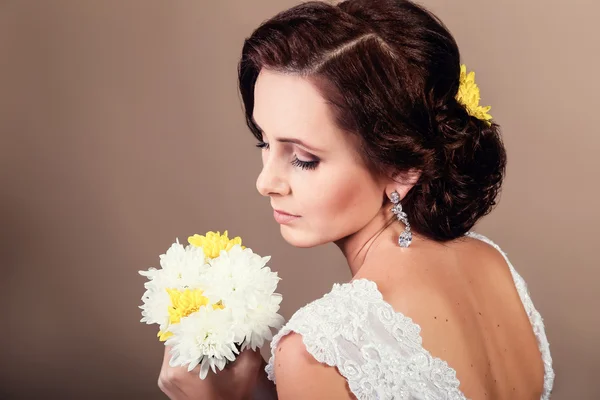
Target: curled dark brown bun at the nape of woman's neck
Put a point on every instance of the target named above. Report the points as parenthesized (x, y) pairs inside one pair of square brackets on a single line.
[(471, 162)]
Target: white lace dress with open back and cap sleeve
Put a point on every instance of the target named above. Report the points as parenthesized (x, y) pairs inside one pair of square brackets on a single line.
[(379, 351)]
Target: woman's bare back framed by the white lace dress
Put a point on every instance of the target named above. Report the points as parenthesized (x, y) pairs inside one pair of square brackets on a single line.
[(463, 296)]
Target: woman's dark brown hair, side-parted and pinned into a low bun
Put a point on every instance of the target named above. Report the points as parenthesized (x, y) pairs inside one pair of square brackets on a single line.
[(390, 71)]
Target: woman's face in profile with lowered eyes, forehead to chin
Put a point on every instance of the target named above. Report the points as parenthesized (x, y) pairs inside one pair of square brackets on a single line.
[(311, 169)]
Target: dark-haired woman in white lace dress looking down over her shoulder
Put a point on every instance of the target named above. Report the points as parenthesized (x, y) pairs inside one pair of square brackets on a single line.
[(369, 141)]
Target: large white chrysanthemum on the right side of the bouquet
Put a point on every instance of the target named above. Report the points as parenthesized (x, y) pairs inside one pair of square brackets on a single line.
[(240, 279)]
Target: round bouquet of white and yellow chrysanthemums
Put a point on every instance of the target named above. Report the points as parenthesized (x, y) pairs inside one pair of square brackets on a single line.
[(212, 299)]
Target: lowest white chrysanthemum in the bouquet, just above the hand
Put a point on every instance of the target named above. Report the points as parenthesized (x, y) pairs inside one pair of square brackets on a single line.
[(204, 337)]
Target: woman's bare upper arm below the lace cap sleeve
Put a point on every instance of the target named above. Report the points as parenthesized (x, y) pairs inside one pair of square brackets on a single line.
[(300, 376)]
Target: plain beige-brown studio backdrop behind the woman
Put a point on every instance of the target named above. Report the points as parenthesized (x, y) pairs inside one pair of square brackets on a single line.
[(121, 129)]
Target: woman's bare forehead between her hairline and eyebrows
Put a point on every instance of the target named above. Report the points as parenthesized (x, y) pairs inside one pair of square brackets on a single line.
[(286, 104)]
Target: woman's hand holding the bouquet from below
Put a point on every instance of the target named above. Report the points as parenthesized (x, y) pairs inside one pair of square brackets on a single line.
[(236, 381)]
